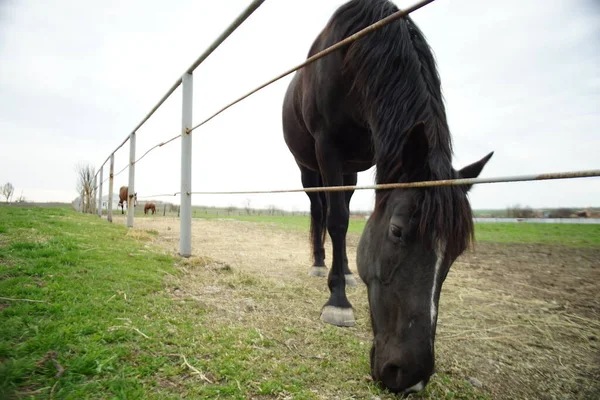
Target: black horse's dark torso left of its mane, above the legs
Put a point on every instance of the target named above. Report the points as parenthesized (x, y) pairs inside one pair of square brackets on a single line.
[(319, 105)]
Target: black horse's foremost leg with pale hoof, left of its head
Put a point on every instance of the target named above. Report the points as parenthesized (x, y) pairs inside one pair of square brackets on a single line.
[(337, 310)]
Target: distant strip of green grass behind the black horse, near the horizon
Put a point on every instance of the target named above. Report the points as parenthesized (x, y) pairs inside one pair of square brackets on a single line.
[(572, 235)]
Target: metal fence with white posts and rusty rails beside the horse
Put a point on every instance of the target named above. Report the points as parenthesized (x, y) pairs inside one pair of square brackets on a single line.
[(186, 81)]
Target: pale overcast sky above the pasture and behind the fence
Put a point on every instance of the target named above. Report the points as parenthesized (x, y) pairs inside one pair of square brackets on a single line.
[(520, 78)]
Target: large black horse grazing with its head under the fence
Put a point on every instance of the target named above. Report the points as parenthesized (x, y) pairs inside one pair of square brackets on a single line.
[(379, 102)]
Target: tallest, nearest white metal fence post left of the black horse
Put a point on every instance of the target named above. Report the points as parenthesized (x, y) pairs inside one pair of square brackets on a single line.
[(185, 219)]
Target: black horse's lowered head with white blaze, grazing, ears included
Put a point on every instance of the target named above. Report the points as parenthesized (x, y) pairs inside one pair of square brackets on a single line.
[(404, 255)]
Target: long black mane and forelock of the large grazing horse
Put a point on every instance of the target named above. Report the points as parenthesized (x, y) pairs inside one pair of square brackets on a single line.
[(395, 76)]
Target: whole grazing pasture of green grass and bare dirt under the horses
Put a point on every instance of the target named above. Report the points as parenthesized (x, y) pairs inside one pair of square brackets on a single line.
[(93, 310)]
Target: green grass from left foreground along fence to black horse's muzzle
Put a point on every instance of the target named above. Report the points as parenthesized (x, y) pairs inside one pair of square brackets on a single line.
[(102, 306)]
